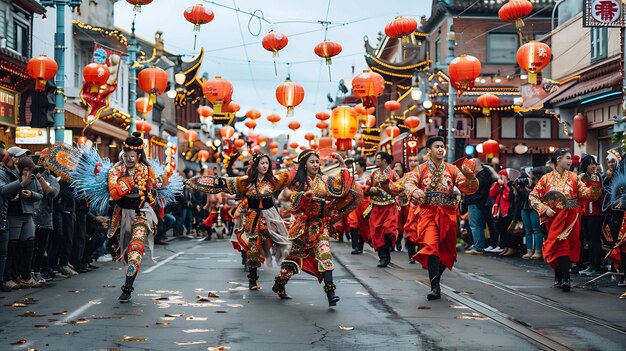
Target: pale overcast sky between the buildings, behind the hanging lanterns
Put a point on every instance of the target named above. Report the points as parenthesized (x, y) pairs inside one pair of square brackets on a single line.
[(233, 50)]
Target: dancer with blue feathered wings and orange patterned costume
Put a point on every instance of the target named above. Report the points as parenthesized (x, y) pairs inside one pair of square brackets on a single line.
[(134, 194)]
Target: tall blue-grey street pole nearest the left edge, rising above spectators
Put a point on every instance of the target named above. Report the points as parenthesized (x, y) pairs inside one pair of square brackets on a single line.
[(59, 57)]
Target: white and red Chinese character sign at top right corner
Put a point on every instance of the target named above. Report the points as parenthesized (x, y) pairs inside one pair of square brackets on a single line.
[(604, 13)]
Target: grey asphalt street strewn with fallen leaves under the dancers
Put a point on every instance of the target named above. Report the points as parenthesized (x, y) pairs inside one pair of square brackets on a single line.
[(489, 304)]
